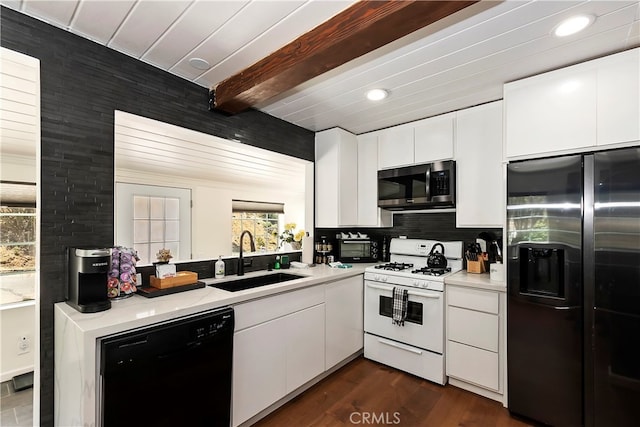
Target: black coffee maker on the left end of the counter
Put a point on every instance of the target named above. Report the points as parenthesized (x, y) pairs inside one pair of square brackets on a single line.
[(87, 284)]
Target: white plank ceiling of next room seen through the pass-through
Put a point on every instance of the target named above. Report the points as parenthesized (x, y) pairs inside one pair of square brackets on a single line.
[(145, 147)]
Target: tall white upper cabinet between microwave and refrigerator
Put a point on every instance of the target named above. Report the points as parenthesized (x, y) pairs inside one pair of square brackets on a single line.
[(479, 183)]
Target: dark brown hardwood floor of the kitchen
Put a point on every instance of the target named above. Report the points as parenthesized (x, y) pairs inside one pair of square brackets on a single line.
[(368, 393)]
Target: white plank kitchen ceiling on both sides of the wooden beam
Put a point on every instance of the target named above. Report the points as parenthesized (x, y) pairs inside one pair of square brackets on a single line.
[(450, 65)]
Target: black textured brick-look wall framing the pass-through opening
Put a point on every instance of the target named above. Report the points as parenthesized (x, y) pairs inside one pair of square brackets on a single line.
[(82, 83)]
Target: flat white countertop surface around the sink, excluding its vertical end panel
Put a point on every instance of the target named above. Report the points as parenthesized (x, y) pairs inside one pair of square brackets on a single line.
[(138, 311)]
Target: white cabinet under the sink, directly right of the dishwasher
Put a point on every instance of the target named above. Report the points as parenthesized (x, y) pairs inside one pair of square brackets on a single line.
[(278, 346)]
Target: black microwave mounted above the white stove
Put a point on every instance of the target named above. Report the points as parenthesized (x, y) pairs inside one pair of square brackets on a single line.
[(425, 186)]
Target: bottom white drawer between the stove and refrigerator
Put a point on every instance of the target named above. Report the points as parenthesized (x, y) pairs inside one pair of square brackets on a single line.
[(473, 365)]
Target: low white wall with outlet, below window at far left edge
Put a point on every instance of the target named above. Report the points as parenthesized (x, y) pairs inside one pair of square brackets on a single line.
[(14, 323)]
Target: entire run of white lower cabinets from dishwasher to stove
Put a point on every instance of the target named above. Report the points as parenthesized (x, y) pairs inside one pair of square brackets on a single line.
[(284, 341)]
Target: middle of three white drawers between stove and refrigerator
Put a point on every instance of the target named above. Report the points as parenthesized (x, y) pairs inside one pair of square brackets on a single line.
[(473, 327)]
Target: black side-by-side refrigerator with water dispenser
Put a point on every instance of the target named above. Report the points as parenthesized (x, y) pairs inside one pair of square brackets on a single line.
[(573, 302)]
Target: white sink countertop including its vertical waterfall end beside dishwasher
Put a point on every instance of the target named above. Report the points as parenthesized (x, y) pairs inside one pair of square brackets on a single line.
[(76, 333)]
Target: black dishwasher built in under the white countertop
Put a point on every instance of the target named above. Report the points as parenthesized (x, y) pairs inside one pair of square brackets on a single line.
[(176, 373)]
